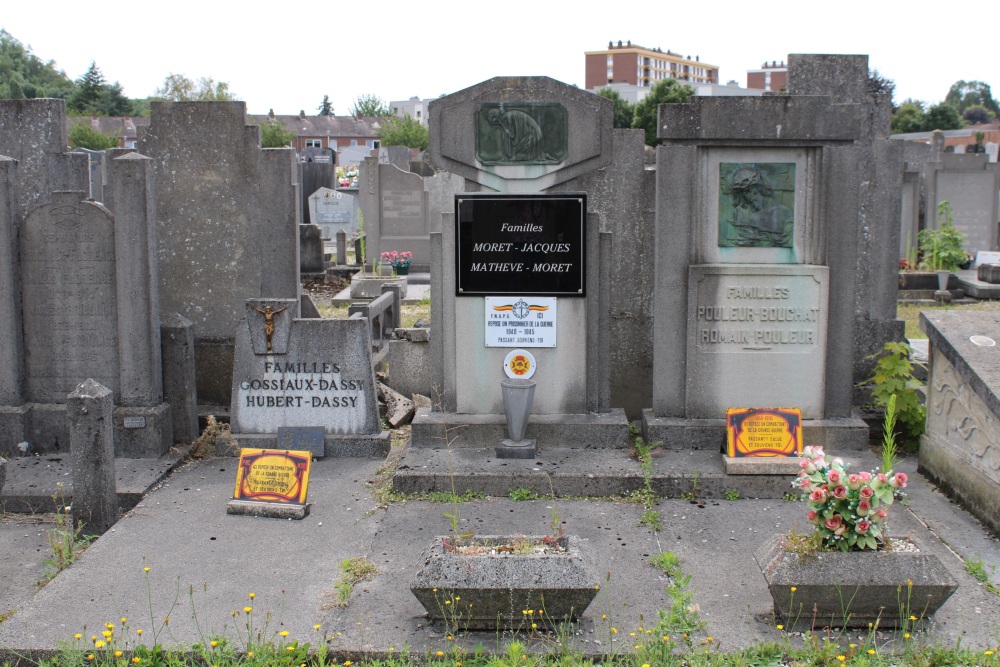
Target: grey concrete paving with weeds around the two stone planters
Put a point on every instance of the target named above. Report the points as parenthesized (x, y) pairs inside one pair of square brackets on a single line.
[(179, 568)]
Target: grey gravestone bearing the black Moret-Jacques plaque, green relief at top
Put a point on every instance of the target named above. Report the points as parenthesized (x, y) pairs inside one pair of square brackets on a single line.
[(547, 229)]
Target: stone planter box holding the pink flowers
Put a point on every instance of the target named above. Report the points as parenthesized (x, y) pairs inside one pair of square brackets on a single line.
[(853, 589)]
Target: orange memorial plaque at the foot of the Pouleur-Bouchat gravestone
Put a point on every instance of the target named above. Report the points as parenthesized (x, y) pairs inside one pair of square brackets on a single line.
[(763, 431)]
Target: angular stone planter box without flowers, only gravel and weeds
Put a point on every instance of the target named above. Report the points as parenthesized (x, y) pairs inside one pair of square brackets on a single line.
[(491, 591)]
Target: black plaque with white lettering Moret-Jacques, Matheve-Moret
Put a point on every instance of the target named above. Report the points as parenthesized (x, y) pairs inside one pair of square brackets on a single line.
[(521, 244)]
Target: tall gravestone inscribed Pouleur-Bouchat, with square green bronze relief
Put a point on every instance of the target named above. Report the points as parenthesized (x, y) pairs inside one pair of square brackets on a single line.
[(783, 295)]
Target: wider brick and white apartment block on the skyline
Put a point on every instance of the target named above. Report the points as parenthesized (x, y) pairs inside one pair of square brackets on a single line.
[(638, 66)]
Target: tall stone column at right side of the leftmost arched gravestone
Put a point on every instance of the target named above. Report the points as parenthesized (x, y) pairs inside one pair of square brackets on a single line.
[(128, 195)]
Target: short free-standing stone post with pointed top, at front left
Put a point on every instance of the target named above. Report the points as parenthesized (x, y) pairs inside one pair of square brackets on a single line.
[(91, 440)]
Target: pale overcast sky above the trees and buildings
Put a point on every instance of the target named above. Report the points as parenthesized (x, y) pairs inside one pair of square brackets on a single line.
[(286, 55)]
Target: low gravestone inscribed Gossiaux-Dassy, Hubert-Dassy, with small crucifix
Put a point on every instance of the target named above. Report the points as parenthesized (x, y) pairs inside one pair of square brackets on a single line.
[(292, 372)]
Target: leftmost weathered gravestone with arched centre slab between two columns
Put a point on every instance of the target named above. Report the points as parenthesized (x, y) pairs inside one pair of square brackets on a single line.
[(77, 292)]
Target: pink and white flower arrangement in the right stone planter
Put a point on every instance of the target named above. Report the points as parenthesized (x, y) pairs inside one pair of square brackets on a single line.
[(845, 507)]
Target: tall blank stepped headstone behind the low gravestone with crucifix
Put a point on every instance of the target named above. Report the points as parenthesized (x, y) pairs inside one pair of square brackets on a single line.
[(228, 217)]
